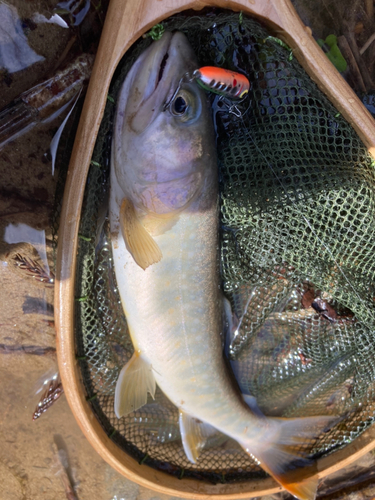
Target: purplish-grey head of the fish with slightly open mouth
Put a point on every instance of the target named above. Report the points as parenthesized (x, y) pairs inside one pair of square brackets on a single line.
[(163, 149)]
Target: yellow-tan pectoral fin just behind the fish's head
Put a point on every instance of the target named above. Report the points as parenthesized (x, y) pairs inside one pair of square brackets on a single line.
[(139, 242)]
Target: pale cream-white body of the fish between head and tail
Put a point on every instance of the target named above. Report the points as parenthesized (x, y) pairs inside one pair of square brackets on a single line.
[(174, 314)]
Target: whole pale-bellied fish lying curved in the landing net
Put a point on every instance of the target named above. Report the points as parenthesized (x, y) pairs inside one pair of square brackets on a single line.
[(164, 223)]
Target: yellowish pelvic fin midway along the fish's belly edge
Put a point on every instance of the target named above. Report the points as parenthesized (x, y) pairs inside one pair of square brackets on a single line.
[(134, 382)]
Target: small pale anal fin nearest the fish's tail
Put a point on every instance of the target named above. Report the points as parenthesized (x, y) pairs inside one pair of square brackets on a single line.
[(194, 435)]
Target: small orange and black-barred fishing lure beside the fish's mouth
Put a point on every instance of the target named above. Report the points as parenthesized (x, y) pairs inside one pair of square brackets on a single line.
[(222, 81)]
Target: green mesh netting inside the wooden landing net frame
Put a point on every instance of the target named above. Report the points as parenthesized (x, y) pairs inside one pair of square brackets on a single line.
[(297, 254)]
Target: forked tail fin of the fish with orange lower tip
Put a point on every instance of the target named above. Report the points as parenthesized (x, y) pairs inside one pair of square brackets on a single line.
[(281, 452)]
